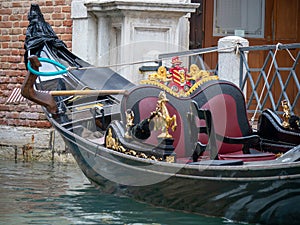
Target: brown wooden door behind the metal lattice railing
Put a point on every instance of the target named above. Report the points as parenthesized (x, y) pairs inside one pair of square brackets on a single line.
[(281, 25)]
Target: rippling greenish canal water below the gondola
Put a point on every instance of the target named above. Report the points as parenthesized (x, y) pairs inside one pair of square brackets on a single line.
[(47, 193)]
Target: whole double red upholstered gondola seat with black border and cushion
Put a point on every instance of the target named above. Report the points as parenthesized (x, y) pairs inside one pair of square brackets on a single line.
[(222, 99)]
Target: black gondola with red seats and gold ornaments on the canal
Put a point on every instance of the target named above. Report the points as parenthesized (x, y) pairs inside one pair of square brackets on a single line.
[(183, 146)]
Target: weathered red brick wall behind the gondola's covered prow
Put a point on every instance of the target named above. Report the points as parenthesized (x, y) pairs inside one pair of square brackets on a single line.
[(13, 24)]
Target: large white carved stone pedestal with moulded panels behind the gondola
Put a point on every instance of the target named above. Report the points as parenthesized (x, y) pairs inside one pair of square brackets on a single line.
[(132, 30)]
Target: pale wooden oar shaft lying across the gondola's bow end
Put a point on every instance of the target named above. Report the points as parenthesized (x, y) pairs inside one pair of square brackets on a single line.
[(88, 92)]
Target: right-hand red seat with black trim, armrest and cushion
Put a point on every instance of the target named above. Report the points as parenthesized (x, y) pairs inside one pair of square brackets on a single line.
[(230, 129)]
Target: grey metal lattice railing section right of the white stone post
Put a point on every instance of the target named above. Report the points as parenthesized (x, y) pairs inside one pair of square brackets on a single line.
[(260, 83)]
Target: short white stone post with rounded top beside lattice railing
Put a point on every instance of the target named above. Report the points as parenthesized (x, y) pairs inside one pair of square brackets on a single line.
[(229, 58)]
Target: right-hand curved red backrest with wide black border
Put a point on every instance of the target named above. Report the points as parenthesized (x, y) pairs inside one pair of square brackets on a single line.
[(227, 105)]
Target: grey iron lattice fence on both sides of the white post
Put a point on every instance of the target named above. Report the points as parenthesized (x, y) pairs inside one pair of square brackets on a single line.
[(265, 86)]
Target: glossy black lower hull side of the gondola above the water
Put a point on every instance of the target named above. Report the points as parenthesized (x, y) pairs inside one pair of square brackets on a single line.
[(267, 194)]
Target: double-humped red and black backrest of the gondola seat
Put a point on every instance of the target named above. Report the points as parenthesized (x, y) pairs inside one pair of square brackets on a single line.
[(224, 100)]
